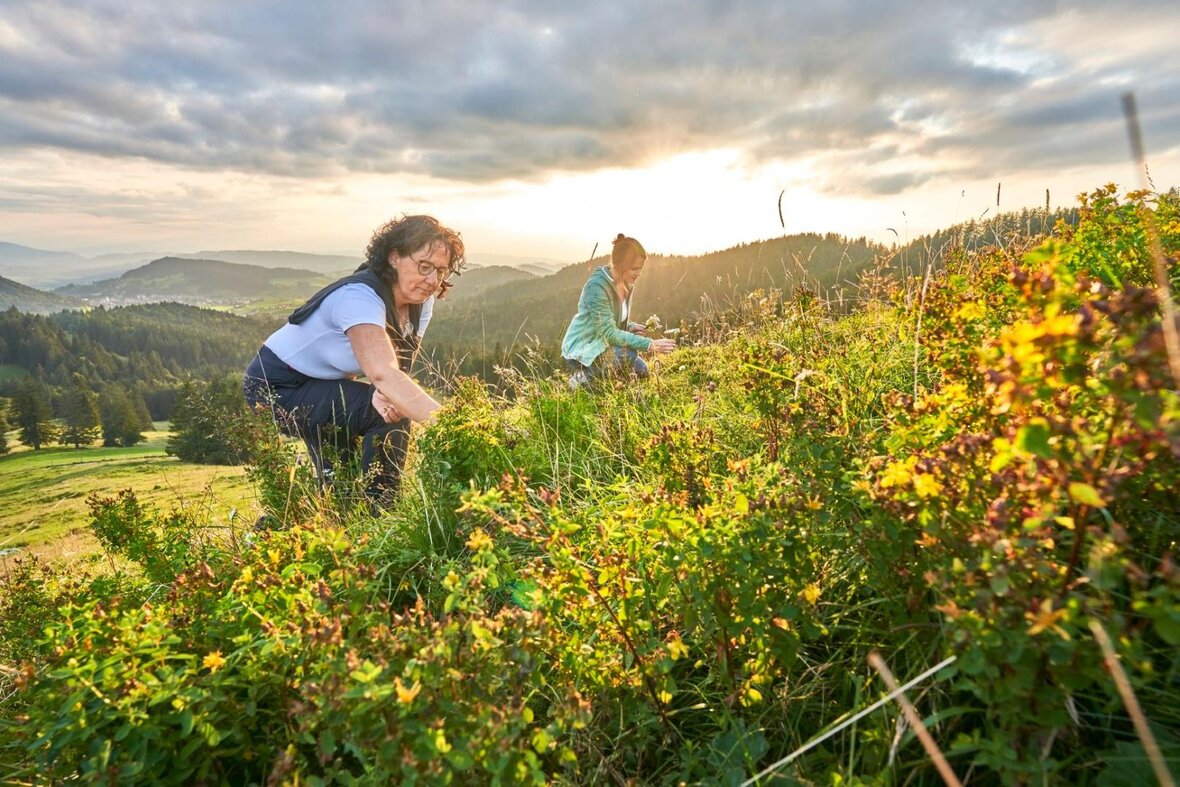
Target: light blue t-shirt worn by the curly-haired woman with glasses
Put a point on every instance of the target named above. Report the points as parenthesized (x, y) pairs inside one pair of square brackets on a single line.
[(319, 347)]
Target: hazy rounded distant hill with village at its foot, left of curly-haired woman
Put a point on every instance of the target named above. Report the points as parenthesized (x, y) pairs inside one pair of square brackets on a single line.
[(199, 283)]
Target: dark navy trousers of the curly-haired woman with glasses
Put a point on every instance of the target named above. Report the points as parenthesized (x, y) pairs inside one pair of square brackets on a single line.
[(331, 415)]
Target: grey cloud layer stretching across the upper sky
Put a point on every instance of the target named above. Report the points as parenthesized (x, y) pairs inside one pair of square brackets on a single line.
[(481, 91)]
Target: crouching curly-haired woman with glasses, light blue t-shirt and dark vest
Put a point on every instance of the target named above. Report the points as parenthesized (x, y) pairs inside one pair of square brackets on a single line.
[(369, 324)]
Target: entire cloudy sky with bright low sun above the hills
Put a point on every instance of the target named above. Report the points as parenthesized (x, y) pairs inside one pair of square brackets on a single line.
[(543, 129)]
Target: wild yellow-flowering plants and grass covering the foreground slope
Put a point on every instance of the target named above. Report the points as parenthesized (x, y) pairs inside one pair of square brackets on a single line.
[(678, 581)]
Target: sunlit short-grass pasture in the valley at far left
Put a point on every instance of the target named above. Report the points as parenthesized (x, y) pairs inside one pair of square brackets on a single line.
[(43, 494)]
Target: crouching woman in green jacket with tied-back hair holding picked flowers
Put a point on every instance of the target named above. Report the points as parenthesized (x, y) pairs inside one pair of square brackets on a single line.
[(602, 338)]
